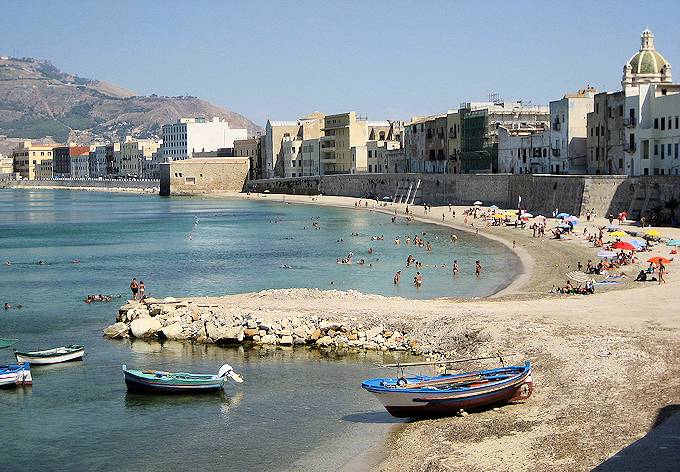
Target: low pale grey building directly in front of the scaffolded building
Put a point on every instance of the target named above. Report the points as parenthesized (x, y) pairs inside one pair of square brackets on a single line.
[(524, 150)]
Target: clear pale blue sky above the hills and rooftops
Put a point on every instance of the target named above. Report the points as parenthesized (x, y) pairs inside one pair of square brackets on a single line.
[(383, 59)]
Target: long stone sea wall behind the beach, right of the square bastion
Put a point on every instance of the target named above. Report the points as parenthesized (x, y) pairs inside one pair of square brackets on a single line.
[(540, 193)]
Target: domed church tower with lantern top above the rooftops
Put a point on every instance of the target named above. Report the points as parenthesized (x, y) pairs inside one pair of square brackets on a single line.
[(648, 66)]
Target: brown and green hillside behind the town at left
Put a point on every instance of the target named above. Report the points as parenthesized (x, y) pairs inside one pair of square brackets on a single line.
[(38, 100)]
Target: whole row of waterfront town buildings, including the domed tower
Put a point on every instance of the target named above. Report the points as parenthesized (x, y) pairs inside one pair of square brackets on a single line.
[(634, 131)]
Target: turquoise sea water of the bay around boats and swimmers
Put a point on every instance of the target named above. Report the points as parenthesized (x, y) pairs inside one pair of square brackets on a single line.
[(79, 417)]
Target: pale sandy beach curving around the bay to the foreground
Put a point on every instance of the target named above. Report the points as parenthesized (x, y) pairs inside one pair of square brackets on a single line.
[(605, 364)]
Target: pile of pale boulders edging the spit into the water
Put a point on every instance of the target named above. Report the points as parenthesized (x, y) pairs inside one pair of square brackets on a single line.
[(174, 319)]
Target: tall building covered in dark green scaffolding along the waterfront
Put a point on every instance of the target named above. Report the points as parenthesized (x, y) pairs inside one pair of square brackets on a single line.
[(479, 124)]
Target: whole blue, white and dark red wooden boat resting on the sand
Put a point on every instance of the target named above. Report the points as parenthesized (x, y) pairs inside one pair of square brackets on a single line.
[(448, 394)]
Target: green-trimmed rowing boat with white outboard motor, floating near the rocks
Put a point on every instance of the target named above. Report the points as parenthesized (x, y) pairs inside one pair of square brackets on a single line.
[(178, 382)]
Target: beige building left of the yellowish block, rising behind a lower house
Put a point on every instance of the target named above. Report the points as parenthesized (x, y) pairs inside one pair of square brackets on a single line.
[(276, 132)]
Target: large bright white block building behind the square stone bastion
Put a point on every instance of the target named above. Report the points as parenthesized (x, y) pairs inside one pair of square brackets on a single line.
[(189, 135)]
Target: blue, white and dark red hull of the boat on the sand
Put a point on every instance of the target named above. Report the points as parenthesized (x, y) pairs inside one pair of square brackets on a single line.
[(409, 402)]
